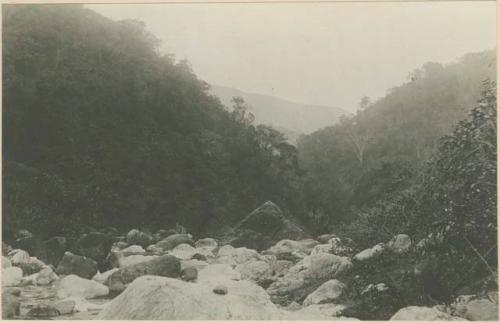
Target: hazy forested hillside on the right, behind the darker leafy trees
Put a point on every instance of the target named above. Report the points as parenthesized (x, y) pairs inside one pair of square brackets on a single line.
[(383, 147)]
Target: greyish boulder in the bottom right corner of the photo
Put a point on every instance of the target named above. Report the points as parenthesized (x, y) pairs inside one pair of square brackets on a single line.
[(476, 309)]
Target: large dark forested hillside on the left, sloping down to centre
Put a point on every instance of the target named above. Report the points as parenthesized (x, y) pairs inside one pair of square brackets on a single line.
[(101, 129)]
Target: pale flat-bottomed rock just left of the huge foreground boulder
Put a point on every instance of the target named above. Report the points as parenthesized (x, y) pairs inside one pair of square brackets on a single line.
[(74, 286)]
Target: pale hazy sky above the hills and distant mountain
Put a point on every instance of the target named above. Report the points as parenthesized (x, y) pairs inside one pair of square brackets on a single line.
[(318, 53)]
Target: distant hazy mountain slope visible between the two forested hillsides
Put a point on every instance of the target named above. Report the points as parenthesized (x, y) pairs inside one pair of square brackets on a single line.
[(292, 118)]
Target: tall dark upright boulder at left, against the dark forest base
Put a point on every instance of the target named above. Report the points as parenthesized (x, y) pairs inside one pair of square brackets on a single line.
[(96, 246)]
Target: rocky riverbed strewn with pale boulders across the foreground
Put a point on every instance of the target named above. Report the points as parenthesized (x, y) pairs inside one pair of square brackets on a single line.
[(166, 276)]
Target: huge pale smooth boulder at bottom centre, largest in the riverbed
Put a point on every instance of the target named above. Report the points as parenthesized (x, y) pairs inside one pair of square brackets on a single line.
[(159, 298)]
